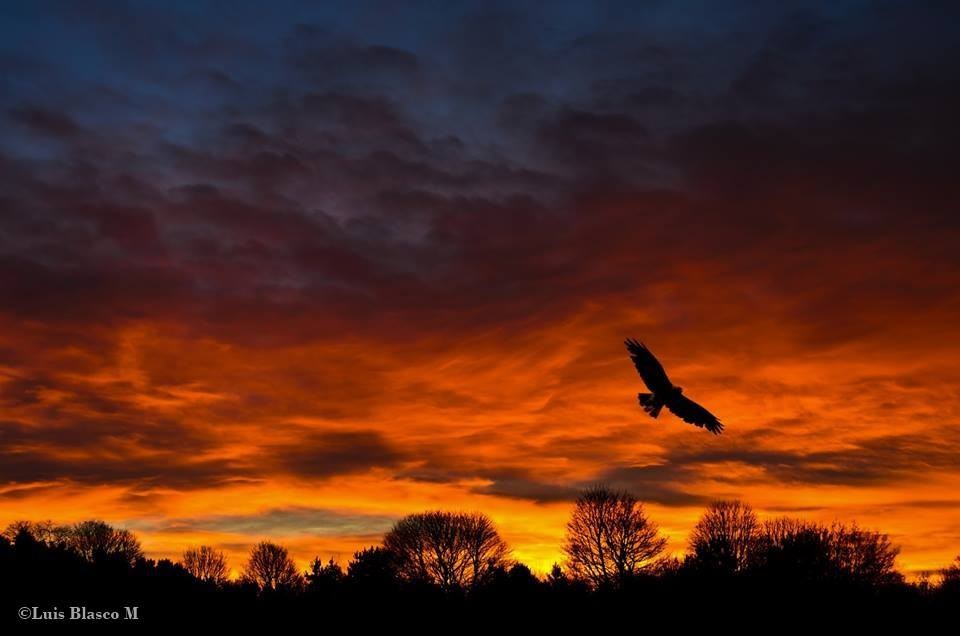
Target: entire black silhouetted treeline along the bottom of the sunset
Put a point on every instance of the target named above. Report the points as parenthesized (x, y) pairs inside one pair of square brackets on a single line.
[(453, 563)]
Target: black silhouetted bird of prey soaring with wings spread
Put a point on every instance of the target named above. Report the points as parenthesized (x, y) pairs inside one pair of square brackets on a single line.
[(665, 393)]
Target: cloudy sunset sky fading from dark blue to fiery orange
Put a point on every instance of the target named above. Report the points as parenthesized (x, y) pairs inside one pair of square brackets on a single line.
[(292, 270)]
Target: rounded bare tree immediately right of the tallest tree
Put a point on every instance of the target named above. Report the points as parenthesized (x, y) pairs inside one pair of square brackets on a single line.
[(723, 537)]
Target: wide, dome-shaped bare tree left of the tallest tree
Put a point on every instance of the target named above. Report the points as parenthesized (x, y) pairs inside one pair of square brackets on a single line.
[(452, 550)]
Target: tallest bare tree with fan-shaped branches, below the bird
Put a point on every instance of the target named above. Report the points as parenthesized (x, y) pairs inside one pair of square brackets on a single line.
[(609, 537)]
